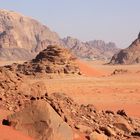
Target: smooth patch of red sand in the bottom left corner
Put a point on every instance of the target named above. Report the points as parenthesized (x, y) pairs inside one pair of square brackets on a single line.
[(7, 133)]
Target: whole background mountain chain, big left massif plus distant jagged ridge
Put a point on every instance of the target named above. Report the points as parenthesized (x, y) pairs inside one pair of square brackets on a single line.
[(21, 38)]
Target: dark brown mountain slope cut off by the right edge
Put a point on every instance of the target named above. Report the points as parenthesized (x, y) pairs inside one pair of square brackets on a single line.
[(130, 55)]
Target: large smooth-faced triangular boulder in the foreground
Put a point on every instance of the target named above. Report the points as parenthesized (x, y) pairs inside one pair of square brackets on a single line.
[(41, 122)]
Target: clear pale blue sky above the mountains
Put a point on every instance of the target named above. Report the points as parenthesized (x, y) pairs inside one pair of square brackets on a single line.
[(109, 20)]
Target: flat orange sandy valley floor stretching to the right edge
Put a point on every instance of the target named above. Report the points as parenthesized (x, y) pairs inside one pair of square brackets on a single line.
[(97, 86)]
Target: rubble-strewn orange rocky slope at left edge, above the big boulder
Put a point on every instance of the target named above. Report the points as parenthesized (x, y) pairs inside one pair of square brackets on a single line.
[(16, 91)]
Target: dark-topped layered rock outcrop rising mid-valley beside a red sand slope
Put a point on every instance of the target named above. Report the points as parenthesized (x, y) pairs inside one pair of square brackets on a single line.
[(54, 59)]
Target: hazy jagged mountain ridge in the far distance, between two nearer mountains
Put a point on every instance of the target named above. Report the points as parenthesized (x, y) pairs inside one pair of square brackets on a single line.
[(96, 49)]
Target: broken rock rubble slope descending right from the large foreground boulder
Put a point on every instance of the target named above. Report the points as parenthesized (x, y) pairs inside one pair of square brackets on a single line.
[(87, 119)]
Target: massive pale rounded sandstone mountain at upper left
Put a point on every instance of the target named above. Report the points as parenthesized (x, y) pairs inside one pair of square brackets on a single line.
[(21, 37)]
